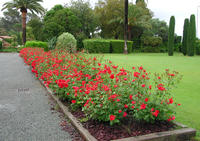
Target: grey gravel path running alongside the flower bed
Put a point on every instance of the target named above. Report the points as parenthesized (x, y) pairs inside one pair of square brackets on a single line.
[(25, 112)]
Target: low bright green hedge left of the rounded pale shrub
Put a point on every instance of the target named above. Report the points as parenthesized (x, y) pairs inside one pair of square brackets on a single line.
[(38, 44)]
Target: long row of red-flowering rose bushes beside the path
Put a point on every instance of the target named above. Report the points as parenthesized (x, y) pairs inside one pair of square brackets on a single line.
[(104, 91)]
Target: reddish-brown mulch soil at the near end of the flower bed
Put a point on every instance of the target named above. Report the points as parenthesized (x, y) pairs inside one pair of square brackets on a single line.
[(104, 132)]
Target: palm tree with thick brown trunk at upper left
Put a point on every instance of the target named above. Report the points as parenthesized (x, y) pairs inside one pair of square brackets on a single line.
[(24, 6)]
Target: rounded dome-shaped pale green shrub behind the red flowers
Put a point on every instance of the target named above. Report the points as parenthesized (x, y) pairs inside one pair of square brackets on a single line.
[(67, 42)]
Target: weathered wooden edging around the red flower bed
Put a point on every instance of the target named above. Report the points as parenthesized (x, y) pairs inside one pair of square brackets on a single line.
[(183, 134)]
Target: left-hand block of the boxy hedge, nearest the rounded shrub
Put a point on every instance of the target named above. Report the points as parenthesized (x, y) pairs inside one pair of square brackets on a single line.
[(97, 45)]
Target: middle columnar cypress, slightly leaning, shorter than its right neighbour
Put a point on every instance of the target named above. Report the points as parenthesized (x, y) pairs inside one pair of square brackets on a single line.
[(185, 37)]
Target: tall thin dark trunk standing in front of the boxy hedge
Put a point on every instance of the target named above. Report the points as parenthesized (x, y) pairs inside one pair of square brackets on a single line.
[(125, 26)]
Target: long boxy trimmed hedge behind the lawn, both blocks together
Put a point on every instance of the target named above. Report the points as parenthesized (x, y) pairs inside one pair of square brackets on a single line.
[(106, 46)]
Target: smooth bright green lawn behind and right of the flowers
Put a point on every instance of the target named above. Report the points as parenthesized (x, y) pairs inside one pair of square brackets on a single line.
[(188, 91)]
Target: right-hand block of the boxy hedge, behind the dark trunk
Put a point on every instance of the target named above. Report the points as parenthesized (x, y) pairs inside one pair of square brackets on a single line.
[(117, 46)]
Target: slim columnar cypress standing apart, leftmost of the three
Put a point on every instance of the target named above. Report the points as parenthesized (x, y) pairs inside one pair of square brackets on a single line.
[(171, 36)]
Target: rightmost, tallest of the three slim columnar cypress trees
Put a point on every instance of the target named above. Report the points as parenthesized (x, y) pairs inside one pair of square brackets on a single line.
[(192, 36)]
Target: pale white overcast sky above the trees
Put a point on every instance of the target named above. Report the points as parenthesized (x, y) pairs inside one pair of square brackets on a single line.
[(162, 9)]
